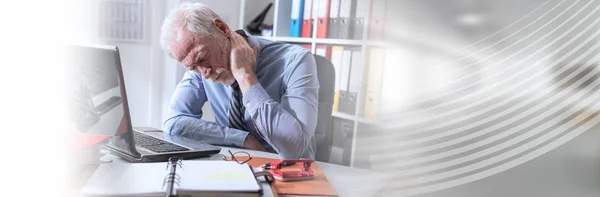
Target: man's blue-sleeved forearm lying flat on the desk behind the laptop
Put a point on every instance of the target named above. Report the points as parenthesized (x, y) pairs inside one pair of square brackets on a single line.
[(211, 132)]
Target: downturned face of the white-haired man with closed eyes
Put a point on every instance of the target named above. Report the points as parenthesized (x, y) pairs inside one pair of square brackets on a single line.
[(208, 56)]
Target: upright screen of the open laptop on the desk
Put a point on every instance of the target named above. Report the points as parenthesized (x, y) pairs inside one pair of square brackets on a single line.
[(96, 103)]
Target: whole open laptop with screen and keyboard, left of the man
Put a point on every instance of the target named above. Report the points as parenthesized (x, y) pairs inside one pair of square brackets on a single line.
[(99, 106)]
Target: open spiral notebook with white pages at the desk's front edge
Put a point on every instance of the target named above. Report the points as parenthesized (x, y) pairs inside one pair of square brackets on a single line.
[(187, 178)]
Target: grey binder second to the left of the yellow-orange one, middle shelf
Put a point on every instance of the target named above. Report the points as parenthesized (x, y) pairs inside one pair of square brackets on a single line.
[(344, 106)]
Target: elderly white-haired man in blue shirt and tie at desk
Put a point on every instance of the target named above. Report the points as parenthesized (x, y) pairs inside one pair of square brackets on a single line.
[(263, 94)]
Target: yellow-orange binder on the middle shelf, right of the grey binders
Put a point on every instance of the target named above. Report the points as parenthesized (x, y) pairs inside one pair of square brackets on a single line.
[(373, 84)]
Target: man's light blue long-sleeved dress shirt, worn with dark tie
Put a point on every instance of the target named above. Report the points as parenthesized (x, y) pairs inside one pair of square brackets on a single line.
[(283, 105)]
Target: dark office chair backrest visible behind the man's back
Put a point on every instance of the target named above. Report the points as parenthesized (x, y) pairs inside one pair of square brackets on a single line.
[(323, 132)]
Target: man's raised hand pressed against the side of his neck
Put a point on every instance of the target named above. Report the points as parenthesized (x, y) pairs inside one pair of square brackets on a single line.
[(243, 61)]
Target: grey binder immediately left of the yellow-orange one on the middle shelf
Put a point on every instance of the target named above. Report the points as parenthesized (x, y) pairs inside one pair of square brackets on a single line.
[(356, 70)]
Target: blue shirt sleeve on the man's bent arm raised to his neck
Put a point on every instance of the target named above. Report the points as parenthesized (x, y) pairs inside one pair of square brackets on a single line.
[(288, 126)]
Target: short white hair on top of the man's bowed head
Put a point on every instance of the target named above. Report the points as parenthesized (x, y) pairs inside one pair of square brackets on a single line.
[(195, 16)]
